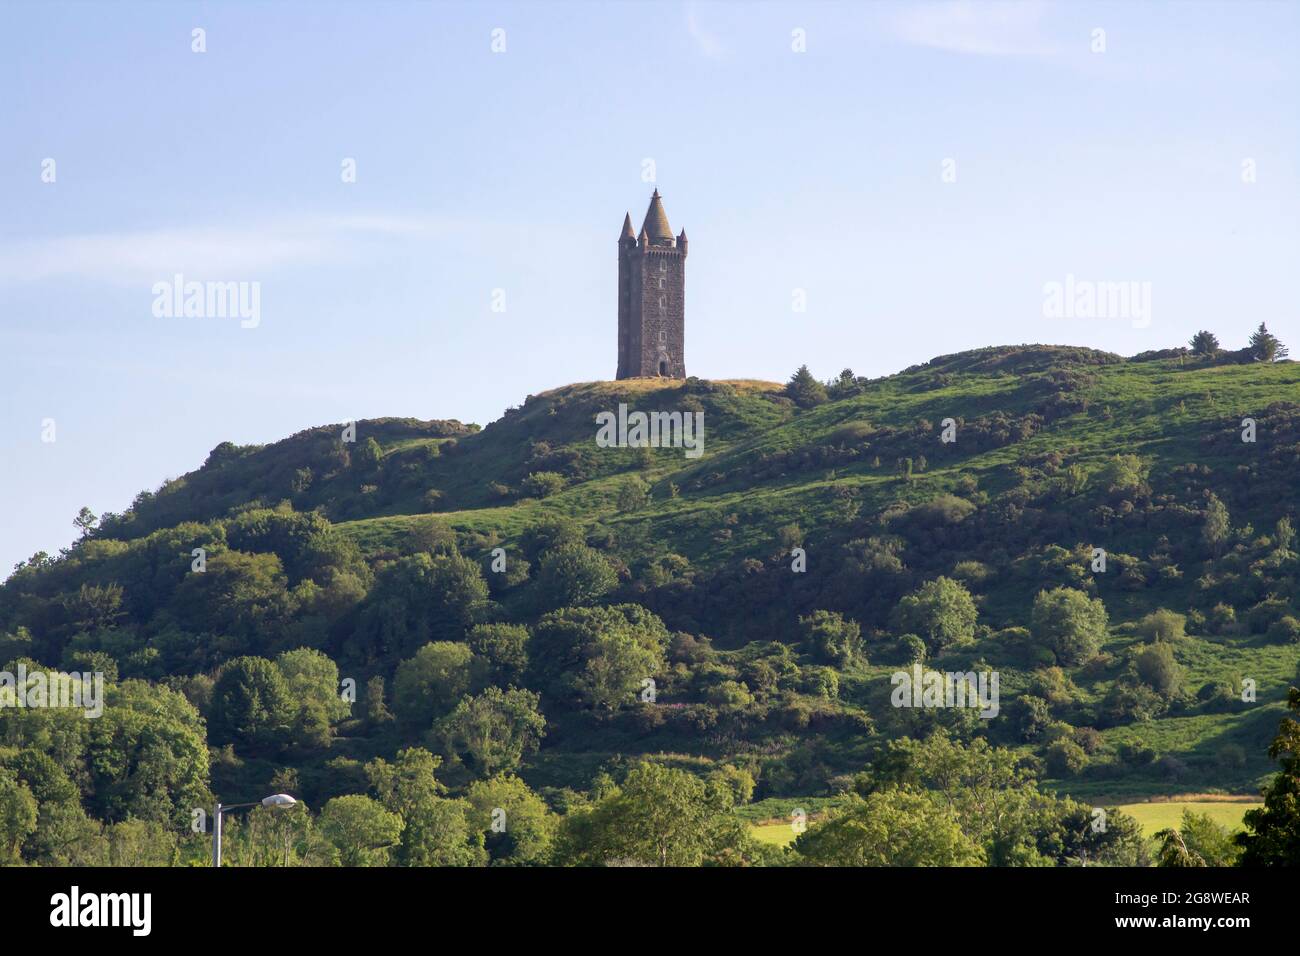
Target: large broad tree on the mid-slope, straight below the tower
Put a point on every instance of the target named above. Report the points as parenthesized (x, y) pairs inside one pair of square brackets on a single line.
[(599, 656)]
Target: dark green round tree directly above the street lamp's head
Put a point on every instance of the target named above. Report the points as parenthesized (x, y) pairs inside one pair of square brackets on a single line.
[(253, 706)]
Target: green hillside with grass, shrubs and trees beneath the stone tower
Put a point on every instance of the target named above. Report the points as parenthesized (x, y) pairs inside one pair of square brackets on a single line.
[(1126, 685)]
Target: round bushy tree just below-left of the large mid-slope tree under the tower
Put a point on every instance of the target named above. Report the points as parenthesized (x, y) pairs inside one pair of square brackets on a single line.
[(495, 730)]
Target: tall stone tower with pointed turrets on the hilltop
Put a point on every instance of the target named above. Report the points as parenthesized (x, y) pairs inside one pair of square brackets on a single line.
[(652, 299)]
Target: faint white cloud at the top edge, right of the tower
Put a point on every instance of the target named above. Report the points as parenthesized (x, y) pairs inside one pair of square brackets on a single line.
[(978, 29)]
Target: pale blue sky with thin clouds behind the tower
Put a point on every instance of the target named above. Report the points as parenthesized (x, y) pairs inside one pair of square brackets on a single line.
[(479, 171)]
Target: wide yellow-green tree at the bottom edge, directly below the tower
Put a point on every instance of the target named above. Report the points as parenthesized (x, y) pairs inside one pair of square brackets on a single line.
[(660, 817)]
